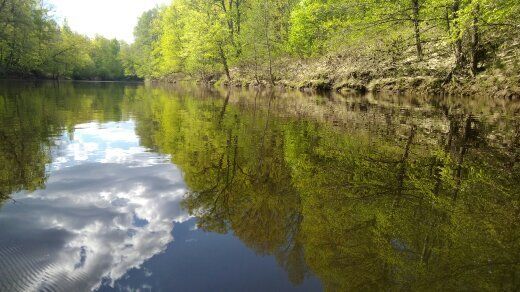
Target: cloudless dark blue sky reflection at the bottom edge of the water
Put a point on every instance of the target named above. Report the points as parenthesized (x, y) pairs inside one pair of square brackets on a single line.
[(202, 261)]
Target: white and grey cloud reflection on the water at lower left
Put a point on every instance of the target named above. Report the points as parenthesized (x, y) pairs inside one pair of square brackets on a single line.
[(105, 210)]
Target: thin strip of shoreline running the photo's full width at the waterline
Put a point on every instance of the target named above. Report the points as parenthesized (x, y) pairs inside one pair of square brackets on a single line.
[(487, 84)]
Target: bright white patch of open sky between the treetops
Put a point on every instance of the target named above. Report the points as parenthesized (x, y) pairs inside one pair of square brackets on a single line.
[(109, 18)]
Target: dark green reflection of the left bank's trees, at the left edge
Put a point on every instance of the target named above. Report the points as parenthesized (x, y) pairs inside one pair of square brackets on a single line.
[(33, 115)]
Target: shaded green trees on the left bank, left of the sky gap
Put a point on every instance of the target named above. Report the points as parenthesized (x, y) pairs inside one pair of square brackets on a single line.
[(33, 44)]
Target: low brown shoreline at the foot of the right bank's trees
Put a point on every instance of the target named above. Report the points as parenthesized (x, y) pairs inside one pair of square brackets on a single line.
[(316, 77)]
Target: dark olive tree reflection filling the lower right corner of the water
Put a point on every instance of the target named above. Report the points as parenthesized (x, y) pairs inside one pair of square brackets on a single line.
[(428, 240)]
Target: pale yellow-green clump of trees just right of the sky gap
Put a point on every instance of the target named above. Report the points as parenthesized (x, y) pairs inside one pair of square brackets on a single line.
[(203, 38)]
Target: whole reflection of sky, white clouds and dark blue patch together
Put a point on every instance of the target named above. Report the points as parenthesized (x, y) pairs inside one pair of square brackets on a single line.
[(106, 221)]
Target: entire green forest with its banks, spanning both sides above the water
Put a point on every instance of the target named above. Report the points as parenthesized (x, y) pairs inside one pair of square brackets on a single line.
[(322, 44)]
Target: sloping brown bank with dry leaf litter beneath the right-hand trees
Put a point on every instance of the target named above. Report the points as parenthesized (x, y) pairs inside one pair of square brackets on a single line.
[(347, 74)]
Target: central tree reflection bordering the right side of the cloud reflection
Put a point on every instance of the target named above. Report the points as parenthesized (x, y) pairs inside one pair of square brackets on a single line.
[(235, 167)]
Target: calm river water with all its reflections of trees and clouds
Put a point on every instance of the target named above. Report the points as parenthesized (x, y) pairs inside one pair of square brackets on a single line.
[(126, 187)]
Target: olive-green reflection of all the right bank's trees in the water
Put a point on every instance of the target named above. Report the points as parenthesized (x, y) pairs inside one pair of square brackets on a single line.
[(394, 203)]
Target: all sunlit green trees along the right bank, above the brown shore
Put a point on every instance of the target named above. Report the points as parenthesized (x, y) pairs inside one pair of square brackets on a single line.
[(207, 37)]
